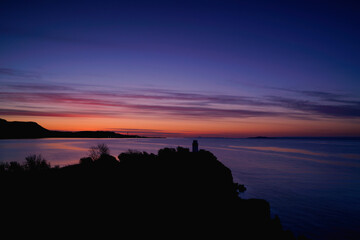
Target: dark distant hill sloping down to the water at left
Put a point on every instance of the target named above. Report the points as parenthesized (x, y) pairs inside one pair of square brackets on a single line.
[(23, 130)]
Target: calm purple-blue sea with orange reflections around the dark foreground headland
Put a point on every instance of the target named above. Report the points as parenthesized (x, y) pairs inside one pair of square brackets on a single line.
[(312, 185)]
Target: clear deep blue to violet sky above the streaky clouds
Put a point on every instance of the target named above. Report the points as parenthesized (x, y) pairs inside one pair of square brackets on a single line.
[(252, 49)]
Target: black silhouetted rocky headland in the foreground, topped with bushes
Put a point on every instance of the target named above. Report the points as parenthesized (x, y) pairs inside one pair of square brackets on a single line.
[(174, 193)]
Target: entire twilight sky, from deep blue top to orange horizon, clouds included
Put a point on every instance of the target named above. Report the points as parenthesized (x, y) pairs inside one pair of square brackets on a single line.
[(183, 68)]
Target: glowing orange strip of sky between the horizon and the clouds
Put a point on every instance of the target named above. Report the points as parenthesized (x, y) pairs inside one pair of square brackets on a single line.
[(203, 128)]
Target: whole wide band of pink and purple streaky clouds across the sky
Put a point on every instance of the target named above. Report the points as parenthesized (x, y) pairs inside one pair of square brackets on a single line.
[(157, 103)]
